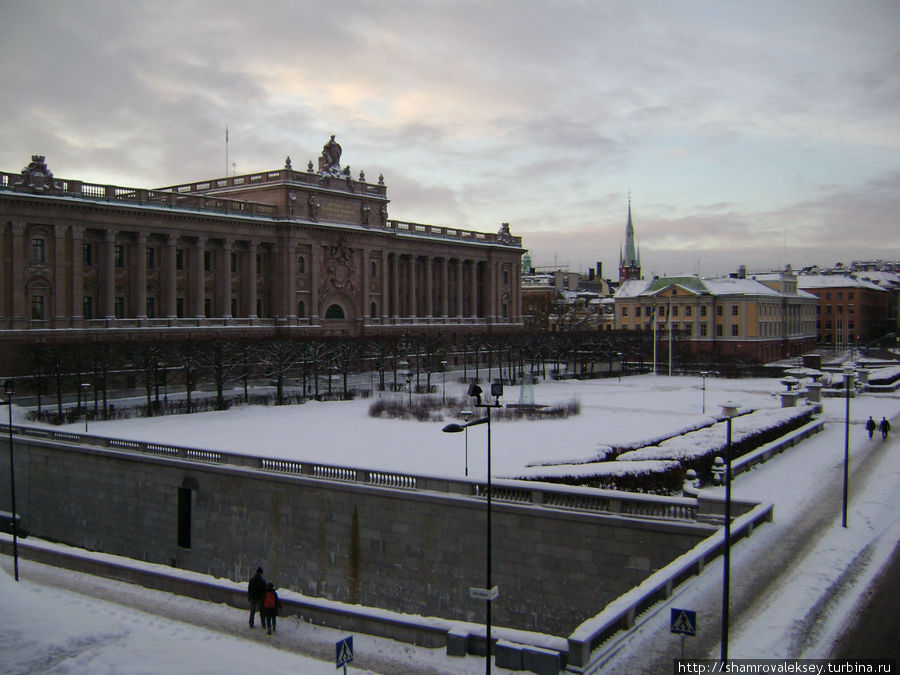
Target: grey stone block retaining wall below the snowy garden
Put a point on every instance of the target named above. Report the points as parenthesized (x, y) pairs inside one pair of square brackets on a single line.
[(413, 551)]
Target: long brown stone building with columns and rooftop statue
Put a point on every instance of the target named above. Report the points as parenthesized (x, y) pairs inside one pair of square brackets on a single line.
[(277, 253)]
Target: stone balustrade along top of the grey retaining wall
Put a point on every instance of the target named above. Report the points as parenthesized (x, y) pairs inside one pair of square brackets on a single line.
[(586, 500)]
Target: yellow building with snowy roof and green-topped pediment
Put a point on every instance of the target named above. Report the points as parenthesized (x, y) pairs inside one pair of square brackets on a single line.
[(727, 317)]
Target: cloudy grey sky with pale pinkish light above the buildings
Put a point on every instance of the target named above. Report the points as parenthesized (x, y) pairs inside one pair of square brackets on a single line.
[(761, 133)]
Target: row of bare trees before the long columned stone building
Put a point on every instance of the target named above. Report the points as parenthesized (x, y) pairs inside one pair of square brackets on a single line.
[(90, 373)]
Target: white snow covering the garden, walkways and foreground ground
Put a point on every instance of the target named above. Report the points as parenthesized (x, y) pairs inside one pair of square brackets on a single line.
[(779, 575)]
